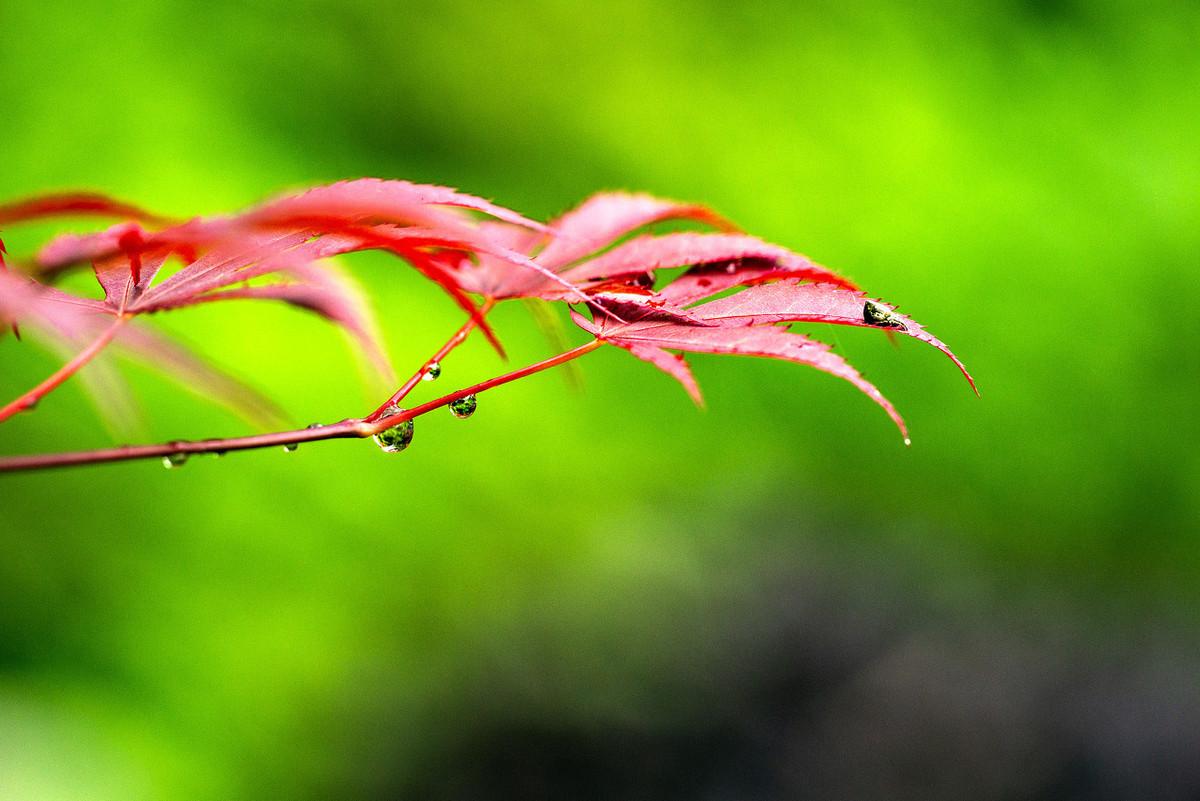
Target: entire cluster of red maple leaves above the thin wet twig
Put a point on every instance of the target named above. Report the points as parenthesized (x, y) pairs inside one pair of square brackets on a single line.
[(733, 293)]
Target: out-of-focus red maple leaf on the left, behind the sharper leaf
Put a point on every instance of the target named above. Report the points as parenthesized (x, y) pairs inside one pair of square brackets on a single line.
[(281, 239)]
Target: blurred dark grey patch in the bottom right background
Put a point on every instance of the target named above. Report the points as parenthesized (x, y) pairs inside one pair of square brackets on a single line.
[(835, 686)]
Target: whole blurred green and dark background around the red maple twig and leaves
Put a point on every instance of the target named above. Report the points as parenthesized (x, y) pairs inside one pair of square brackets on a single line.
[(610, 594)]
